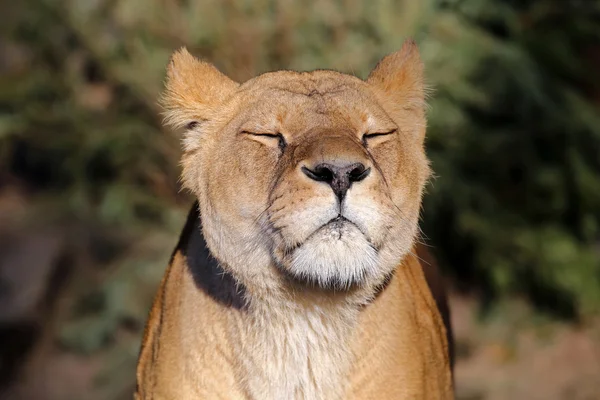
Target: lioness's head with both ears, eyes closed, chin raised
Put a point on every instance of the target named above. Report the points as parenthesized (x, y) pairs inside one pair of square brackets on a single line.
[(314, 176)]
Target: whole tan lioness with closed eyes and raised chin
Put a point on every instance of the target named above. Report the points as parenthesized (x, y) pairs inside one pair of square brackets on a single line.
[(296, 276)]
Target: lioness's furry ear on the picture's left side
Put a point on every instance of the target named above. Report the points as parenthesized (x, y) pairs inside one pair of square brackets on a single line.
[(194, 90)]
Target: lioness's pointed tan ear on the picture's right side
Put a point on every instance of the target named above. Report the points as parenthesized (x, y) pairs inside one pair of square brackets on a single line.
[(399, 77)]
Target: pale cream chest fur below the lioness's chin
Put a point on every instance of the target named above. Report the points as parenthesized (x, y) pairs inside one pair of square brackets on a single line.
[(294, 354)]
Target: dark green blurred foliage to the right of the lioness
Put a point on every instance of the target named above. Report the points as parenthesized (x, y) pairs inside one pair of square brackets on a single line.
[(516, 146)]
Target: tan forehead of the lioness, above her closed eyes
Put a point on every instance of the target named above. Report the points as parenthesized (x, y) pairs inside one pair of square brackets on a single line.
[(310, 97)]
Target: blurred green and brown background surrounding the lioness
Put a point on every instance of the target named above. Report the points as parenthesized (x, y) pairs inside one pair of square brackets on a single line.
[(90, 205)]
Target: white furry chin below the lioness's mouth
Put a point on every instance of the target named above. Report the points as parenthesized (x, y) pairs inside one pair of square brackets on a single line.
[(336, 256)]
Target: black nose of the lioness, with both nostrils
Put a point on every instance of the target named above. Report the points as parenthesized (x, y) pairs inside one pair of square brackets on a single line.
[(340, 178)]
